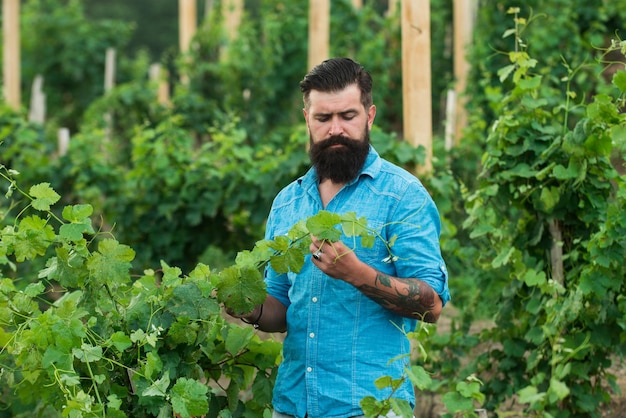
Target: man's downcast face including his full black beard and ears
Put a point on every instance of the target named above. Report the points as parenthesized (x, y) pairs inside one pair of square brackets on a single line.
[(339, 133)]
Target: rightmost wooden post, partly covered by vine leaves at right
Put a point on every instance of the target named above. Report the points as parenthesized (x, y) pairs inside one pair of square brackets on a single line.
[(463, 21)]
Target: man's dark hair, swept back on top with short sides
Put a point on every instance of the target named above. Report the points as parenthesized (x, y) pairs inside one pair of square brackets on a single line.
[(336, 74)]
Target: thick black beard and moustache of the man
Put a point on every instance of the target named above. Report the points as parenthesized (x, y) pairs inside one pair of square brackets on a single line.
[(341, 164)]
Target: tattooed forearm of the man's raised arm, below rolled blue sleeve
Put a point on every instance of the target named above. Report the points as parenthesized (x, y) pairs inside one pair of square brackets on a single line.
[(408, 297)]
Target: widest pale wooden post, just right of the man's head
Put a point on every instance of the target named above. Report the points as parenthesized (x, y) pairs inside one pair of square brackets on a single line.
[(416, 77)]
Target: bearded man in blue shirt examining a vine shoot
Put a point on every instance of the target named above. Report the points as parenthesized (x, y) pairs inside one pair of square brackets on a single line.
[(347, 312)]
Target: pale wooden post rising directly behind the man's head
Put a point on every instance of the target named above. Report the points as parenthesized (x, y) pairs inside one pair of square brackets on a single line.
[(319, 31)]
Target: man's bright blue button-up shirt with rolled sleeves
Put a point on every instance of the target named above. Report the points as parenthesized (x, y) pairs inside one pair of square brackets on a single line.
[(338, 340)]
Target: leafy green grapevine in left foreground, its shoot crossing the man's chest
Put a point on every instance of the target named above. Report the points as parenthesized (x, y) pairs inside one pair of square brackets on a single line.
[(94, 340)]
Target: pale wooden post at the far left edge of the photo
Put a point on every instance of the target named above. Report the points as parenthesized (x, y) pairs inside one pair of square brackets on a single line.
[(11, 52)]
